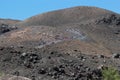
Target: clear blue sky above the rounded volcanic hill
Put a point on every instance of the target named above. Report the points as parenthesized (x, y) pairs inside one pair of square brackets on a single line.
[(22, 9)]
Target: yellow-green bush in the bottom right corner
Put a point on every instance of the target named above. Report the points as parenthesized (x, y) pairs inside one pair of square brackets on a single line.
[(110, 74)]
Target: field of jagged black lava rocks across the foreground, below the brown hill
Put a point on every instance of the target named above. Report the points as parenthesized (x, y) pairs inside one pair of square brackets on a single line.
[(63, 67)]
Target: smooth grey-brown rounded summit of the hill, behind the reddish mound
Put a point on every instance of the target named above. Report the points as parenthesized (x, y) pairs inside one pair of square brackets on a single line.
[(66, 16)]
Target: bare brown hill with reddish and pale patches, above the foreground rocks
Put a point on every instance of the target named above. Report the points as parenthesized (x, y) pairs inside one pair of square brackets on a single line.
[(90, 24)]
